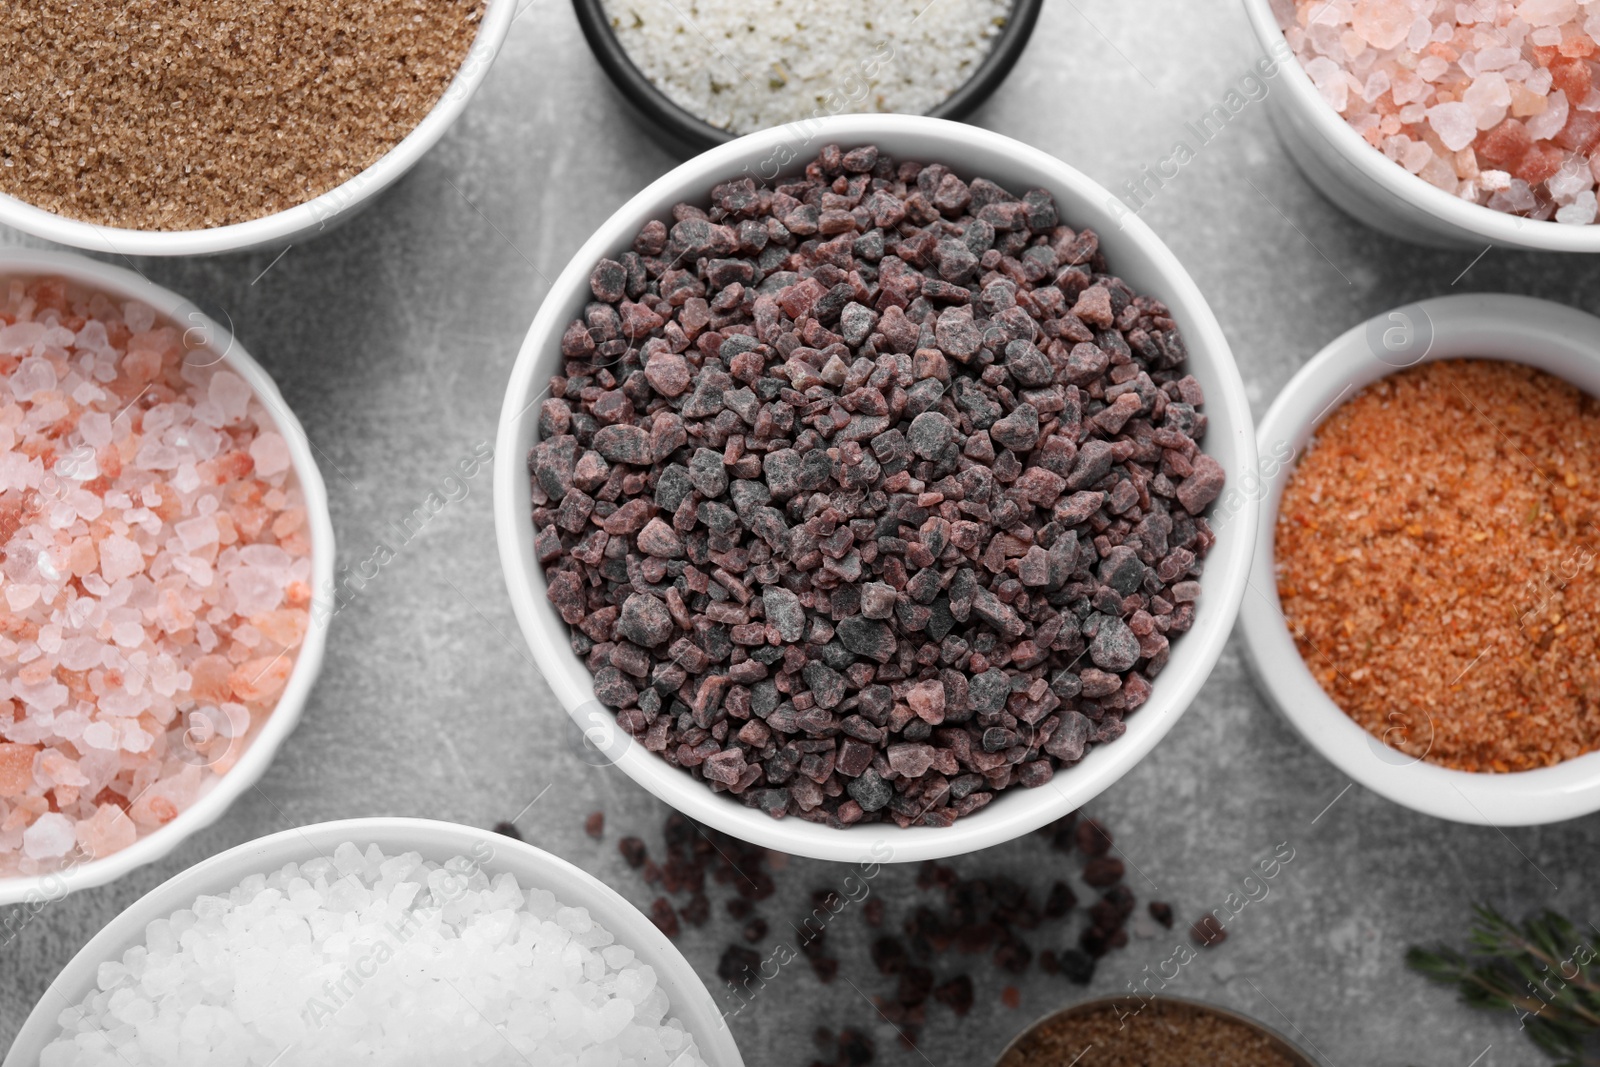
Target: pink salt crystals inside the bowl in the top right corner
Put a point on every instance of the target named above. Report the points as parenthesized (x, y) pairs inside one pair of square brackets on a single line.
[(1494, 102)]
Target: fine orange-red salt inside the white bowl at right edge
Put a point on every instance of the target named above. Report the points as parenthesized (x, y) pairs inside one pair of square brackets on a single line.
[(1438, 564)]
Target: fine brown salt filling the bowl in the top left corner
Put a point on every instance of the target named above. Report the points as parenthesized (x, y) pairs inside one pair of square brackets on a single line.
[(190, 114)]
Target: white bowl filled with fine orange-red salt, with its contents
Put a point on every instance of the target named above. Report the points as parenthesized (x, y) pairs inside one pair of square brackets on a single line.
[(1422, 599)]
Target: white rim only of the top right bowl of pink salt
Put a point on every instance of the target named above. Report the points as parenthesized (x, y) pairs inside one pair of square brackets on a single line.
[(1495, 228)]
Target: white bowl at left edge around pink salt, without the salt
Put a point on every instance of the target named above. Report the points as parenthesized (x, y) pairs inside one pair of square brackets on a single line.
[(254, 764)]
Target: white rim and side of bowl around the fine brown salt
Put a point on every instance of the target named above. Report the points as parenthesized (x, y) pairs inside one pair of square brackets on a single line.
[(303, 222)]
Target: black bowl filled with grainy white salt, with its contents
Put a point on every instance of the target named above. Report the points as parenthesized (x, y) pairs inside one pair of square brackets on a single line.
[(740, 66)]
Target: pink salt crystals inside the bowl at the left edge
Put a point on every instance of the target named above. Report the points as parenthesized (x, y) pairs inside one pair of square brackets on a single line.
[(143, 553)]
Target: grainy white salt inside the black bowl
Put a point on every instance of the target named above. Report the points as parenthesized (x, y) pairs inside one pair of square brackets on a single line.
[(750, 65)]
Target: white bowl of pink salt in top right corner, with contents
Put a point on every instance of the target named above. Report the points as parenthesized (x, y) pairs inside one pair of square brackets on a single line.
[(1454, 126)]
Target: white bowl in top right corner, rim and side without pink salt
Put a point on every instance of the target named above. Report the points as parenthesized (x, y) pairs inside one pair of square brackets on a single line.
[(1364, 183)]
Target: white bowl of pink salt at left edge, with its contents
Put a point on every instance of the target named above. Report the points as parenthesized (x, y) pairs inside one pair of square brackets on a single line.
[(162, 532)]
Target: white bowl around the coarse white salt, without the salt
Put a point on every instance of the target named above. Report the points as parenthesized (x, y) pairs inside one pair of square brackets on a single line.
[(534, 868)]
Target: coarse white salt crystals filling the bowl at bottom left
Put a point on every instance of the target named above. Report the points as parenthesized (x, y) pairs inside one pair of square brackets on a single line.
[(388, 961)]
